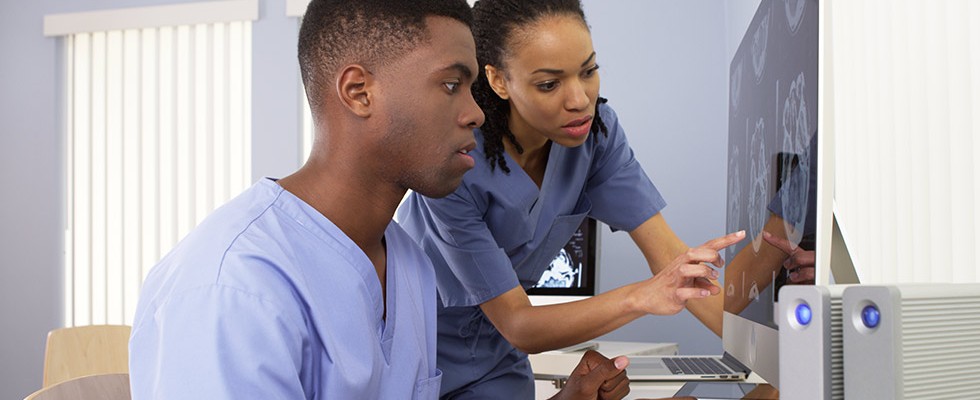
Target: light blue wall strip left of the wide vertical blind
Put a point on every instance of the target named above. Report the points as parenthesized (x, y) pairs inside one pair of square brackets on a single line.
[(31, 213)]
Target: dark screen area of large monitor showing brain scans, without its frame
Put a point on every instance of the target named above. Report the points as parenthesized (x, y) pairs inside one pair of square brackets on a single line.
[(771, 146)]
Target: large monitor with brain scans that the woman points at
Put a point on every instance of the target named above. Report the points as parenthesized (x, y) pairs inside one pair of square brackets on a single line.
[(778, 168)]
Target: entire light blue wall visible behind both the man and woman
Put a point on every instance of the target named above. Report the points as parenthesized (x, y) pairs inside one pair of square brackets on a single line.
[(664, 68)]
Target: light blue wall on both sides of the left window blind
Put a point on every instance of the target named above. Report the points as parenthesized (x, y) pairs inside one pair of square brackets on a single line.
[(32, 167)]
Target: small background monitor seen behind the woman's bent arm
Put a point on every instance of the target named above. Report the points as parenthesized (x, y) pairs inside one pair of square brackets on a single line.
[(571, 275)]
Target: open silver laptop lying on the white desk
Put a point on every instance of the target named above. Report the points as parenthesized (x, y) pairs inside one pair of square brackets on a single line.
[(686, 368)]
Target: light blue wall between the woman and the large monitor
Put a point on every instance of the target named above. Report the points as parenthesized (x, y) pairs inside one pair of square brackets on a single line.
[(664, 67)]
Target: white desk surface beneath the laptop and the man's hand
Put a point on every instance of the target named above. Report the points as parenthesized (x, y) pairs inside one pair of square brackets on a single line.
[(551, 364)]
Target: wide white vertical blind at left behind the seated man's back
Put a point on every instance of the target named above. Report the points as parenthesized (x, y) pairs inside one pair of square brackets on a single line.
[(158, 135)]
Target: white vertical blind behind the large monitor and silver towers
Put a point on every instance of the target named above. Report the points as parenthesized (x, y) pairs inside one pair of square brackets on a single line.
[(907, 119)]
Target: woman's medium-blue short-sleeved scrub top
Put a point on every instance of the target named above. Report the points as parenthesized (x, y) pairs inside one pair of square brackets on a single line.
[(496, 224)]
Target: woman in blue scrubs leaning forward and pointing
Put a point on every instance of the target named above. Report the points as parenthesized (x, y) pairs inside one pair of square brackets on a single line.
[(550, 153)]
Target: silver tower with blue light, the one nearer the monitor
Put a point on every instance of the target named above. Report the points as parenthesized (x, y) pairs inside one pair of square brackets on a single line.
[(811, 343)]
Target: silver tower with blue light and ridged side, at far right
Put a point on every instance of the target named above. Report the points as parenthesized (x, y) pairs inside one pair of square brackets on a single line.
[(912, 341)]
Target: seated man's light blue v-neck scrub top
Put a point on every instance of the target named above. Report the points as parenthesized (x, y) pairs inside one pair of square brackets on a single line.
[(268, 299)]
